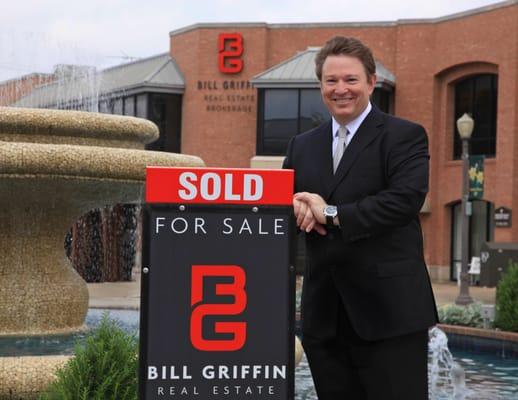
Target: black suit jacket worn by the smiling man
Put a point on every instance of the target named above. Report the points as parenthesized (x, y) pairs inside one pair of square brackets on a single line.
[(374, 263)]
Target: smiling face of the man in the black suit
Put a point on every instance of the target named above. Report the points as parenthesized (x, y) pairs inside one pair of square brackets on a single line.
[(345, 87)]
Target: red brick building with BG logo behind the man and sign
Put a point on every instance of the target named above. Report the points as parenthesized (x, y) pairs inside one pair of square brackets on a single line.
[(246, 88)]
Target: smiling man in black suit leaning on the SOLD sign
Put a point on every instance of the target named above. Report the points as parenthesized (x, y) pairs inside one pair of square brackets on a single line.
[(361, 180)]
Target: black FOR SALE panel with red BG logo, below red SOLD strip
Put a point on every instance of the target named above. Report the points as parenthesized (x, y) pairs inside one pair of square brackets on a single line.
[(217, 308)]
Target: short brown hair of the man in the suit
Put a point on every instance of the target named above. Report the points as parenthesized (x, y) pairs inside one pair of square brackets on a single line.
[(349, 46)]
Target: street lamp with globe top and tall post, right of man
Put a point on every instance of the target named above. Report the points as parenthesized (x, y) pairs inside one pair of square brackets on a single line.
[(465, 127)]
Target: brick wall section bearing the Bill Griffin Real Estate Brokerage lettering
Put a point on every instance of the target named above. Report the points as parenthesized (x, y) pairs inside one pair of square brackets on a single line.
[(222, 139)]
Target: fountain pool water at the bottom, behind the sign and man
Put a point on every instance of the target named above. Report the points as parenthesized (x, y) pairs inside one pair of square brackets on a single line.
[(488, 377)]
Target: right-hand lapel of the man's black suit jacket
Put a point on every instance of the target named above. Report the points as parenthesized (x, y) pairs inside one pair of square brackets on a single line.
[(369, 129)]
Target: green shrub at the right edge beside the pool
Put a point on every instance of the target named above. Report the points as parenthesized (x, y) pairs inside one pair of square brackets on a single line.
[(506, 317)]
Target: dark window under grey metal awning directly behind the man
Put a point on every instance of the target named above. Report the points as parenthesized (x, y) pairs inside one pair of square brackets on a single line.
[(284, 113)]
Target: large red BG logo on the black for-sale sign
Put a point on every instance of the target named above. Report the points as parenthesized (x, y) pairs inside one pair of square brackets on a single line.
[(200, 310)]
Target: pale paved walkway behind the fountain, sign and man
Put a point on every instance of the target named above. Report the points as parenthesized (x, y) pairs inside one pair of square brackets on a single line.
[(127, 294)]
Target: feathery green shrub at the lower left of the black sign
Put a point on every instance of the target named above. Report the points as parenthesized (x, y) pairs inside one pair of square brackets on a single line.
[(104, 367)]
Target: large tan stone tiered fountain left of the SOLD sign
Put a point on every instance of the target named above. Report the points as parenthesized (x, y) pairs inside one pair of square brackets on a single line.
[(55, 166)]
